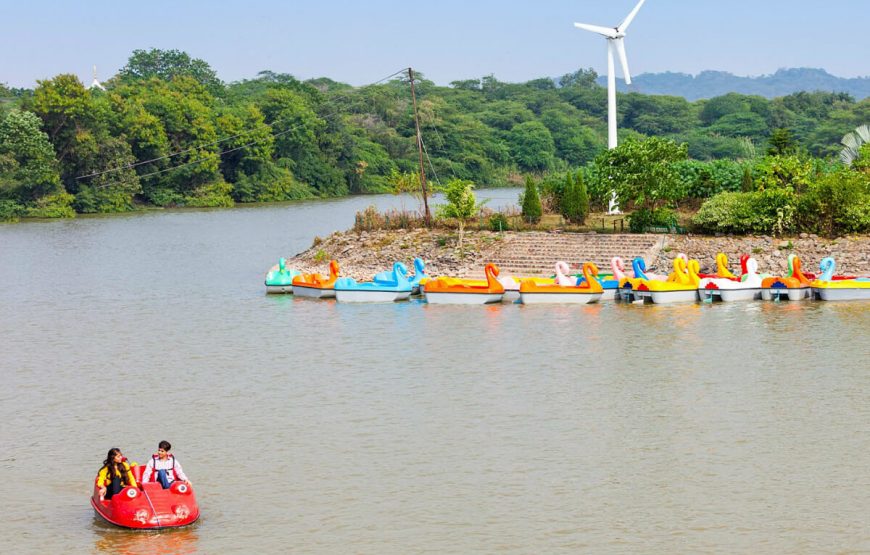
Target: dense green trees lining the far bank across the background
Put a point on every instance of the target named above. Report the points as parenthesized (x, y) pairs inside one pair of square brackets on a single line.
[(167, 132)]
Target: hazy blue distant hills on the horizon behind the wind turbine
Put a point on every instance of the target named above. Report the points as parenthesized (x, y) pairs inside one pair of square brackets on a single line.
[(708, 84)]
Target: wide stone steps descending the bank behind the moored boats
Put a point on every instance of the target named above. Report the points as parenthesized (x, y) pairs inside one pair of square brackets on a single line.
[(535, 253)]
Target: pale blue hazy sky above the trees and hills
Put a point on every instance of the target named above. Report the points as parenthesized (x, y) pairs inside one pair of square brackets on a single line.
[(359, 42)]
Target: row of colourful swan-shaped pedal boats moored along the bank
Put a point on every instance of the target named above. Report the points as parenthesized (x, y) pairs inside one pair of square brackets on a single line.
[(684, 284)]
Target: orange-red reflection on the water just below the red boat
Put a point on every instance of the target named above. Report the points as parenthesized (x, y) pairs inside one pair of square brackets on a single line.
[(111, 539)]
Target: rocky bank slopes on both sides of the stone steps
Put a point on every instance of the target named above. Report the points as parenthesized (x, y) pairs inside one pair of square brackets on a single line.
[(363, 254)]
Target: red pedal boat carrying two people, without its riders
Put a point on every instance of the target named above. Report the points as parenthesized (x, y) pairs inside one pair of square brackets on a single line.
[(148, 507)]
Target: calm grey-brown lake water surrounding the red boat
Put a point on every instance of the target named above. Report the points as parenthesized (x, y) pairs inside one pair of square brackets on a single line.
[(312, 427)]
